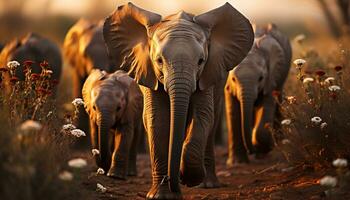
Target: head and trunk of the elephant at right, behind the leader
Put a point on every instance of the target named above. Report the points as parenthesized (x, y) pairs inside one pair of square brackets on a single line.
[(254, 78)]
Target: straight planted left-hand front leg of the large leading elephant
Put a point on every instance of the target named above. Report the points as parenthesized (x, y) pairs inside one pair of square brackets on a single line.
[(156, 116)]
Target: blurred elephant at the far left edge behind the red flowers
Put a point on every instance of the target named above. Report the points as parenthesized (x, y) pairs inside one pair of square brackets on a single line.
[(35, 48)]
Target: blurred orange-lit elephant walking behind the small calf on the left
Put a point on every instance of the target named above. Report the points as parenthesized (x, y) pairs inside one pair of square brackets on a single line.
[(85, 50)]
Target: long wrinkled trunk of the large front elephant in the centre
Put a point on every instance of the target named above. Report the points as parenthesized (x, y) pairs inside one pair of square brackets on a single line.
[(179, 89)]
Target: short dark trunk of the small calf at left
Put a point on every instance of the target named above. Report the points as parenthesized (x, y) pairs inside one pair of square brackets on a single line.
[(103, 135)]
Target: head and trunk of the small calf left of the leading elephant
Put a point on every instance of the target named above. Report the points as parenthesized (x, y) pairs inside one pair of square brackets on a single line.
[(106, 99)]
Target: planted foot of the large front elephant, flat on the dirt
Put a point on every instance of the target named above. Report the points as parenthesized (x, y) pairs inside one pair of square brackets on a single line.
[(162, 191)]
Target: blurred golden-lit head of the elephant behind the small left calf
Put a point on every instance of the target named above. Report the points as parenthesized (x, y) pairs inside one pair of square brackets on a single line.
[(84, 47)]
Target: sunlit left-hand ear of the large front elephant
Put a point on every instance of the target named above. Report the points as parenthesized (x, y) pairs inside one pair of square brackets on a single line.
[(126, 34)]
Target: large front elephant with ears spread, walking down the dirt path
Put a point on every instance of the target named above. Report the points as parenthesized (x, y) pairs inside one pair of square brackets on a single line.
[(177, 61)]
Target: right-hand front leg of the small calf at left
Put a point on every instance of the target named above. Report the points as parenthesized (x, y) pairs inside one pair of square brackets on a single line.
[(120, 157)]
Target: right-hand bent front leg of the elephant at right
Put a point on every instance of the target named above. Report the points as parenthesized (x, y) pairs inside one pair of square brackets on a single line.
[(262, 139)]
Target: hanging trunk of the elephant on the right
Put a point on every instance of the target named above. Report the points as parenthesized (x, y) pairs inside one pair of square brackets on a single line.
[(247, 117)]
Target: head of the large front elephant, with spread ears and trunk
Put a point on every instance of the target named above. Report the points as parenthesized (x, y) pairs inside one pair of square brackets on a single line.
[(179, 54)]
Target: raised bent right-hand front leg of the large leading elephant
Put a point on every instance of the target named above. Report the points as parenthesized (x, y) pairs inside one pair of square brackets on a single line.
[(193, 162)]
